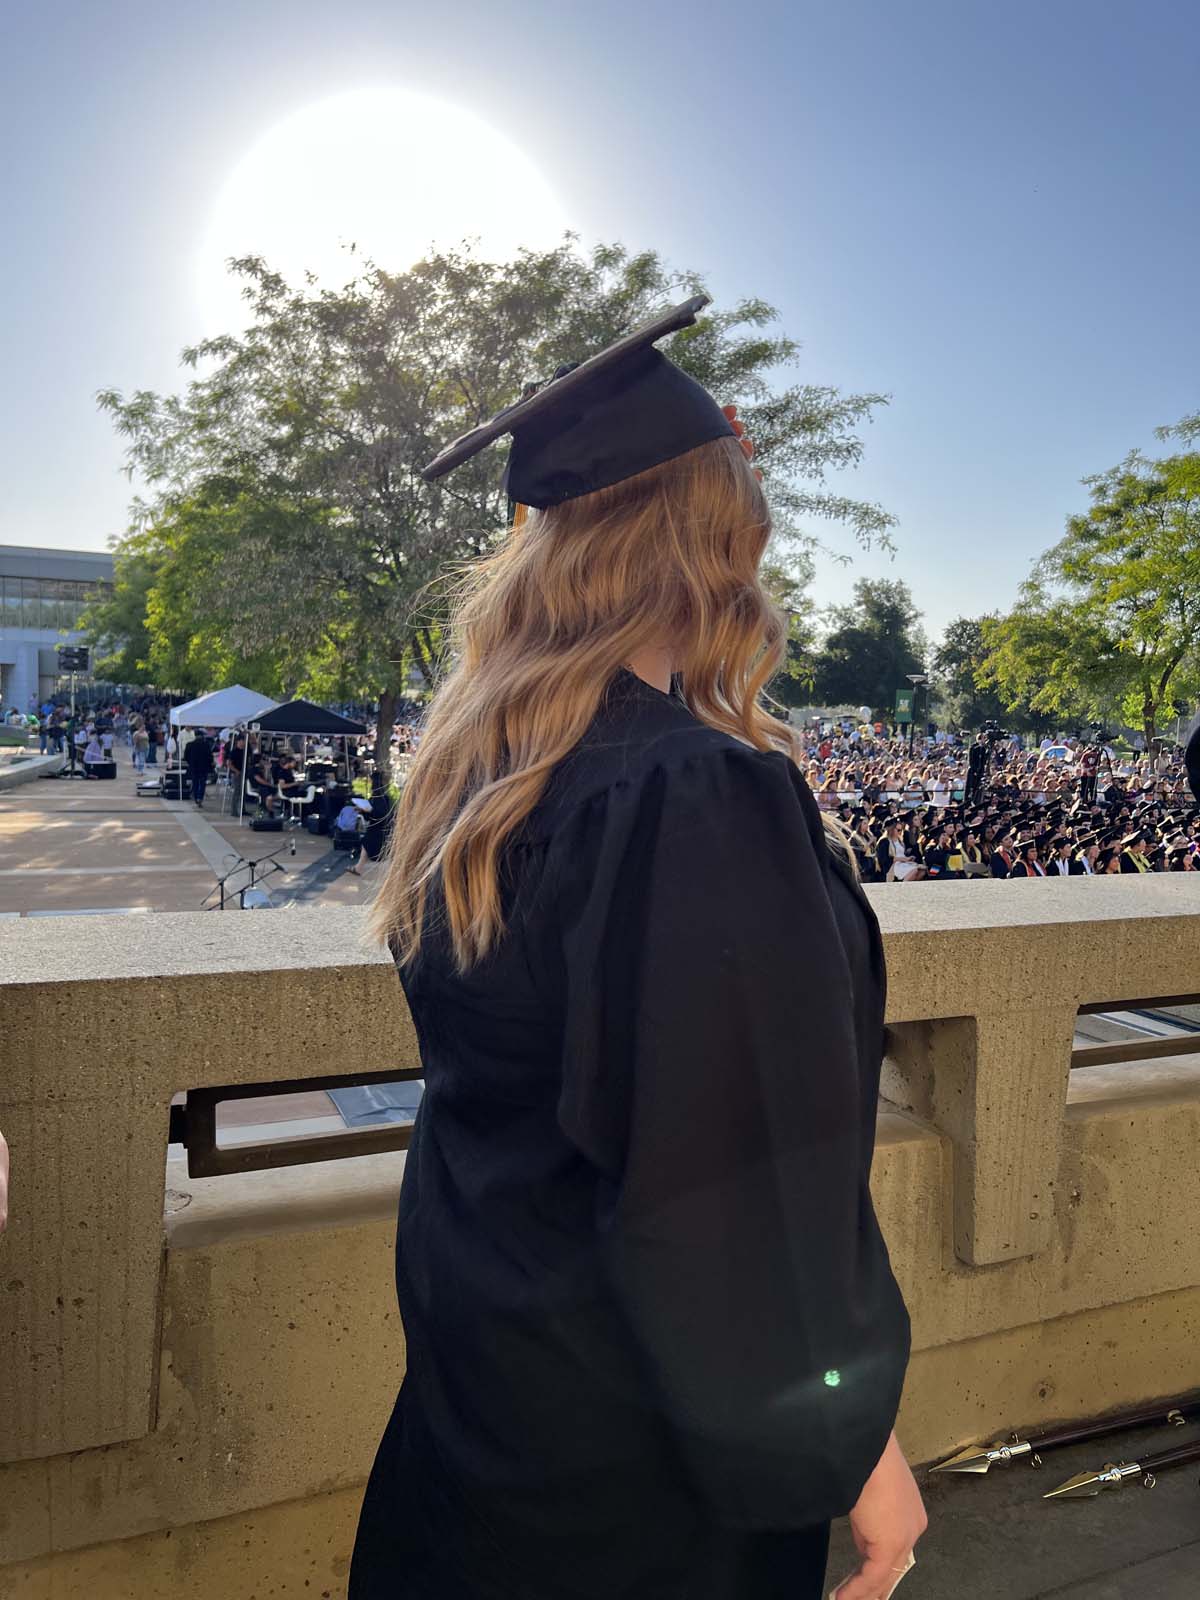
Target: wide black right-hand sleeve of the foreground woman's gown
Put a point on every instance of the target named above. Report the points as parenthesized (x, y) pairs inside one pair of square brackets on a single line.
[(713, 1074)]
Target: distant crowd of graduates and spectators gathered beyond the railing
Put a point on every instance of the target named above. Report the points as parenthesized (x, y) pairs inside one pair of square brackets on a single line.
[(950, 809)]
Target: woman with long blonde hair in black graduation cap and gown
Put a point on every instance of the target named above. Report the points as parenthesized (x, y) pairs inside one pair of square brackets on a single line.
[(654, 1340)]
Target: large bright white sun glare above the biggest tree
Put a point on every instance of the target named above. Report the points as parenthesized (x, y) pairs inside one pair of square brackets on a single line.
[(386, 170)]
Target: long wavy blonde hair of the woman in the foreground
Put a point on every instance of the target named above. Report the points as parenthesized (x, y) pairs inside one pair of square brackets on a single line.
[(666, 559)]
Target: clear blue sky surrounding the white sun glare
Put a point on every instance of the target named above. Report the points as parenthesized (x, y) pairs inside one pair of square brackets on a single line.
[(986, 210)]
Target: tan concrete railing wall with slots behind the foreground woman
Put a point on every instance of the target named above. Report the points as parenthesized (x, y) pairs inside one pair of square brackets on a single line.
[(207, 1364)]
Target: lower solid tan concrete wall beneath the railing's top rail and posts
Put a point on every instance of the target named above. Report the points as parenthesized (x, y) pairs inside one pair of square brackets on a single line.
[(281, 1348)]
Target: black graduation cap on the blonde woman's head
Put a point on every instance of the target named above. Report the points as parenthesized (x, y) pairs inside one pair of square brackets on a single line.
[(612, 417)]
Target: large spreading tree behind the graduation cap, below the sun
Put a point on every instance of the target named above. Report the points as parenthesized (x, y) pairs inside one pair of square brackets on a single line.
[(308, 431)]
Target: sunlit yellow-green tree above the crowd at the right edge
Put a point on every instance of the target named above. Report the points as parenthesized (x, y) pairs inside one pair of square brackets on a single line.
[(1111, 617)]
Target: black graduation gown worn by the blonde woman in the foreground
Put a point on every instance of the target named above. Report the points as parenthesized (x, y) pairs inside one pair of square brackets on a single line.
[(654, 1337)]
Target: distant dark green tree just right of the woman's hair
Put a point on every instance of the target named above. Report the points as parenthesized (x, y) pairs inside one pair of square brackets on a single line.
[(871, 647)]
